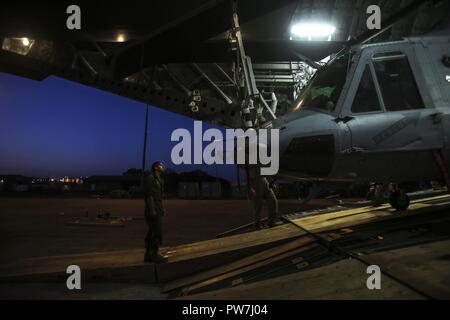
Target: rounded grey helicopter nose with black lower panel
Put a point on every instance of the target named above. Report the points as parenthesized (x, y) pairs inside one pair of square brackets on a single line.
[(307, 145)]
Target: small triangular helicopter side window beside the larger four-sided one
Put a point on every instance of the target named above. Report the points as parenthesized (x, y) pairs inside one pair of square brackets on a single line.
[(366, 99)]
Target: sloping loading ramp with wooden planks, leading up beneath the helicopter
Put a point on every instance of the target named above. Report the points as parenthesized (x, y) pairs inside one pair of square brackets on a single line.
[(318, 254)]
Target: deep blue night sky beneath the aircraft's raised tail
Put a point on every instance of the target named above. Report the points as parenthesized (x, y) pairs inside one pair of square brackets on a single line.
[(56, 128)]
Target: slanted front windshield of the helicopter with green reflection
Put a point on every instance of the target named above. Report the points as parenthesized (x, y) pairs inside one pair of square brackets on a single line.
[(325, 87)]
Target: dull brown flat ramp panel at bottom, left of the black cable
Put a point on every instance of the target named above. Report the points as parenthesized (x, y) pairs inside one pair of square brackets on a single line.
[(345, 279)]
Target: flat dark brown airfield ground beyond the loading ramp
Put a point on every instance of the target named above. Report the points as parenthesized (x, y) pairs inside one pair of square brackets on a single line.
[(36, 227)]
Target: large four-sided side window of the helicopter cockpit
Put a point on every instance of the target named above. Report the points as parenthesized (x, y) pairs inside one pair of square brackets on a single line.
[(397, 83)]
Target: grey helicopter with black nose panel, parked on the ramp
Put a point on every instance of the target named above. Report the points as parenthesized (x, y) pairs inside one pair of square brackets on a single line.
[(378, 112)]
